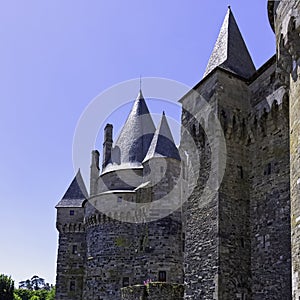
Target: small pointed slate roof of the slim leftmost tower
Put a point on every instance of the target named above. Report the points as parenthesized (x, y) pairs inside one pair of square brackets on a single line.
[(76, 194)]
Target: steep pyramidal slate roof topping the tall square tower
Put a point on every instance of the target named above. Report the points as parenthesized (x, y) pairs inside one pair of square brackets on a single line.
[(230, 51)]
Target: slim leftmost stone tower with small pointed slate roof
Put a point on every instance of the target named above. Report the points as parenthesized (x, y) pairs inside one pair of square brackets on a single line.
[(71, 255)]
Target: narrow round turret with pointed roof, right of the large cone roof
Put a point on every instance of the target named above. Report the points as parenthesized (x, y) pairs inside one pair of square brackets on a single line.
[(163, 245)]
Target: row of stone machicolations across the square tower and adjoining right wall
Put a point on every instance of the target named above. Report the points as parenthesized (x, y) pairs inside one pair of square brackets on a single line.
[(267, 117)]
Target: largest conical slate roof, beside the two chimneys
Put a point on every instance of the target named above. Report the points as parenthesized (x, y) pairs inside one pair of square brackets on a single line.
[(134, 140)]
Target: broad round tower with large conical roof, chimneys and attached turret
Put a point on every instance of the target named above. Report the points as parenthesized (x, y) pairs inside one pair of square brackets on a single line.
[(123, 248)]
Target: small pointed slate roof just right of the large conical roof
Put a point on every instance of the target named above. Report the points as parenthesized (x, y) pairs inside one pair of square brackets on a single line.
[(163, 144)]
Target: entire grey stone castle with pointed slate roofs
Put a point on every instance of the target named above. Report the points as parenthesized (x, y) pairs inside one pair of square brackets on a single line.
[(238, 234)]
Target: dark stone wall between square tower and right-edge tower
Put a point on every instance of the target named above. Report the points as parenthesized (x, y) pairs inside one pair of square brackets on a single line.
[(269, 193)]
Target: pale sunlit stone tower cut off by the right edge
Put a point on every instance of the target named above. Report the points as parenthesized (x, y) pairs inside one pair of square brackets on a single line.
[(285, 20)]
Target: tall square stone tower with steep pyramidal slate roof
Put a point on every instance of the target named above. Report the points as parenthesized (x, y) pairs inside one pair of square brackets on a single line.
[(217, 250)]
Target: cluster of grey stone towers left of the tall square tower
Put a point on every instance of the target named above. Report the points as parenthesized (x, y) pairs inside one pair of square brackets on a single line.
[(122, 248)]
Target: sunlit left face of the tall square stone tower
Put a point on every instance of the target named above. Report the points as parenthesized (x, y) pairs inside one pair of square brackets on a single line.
[(200, 214)]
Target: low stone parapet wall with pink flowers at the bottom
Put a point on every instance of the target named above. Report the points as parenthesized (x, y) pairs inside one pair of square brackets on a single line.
[(153, 291)]
